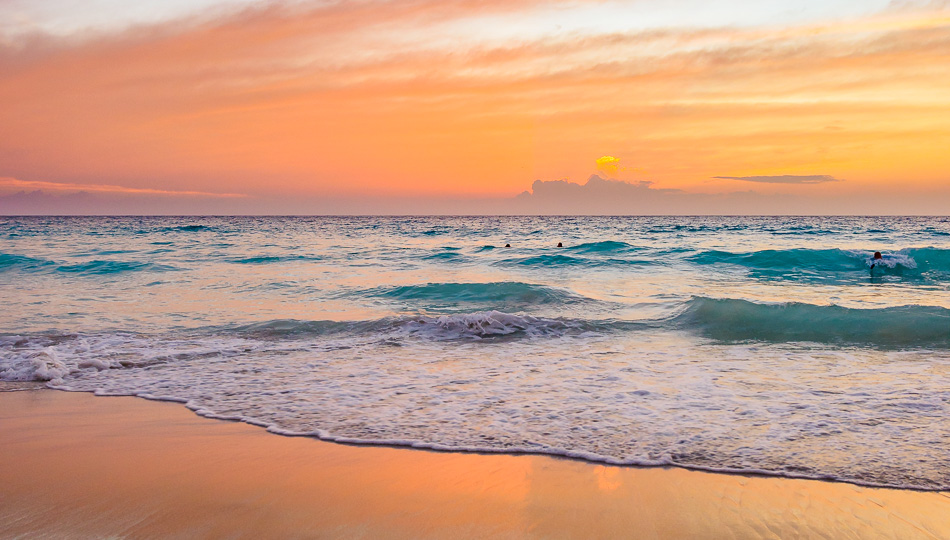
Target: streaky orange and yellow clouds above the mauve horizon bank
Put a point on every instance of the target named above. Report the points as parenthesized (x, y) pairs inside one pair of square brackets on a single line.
[(424, 97)]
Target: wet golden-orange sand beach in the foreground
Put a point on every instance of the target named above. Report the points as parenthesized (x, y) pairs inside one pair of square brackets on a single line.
[(77, 465)]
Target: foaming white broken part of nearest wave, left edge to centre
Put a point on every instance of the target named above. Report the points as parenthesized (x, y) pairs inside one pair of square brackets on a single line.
[(51, 357)]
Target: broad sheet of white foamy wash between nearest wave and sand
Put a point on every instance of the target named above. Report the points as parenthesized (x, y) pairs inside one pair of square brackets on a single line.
[(858, 415)]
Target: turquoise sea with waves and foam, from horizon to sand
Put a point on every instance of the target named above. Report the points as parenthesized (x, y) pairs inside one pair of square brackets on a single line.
[(763, 345)]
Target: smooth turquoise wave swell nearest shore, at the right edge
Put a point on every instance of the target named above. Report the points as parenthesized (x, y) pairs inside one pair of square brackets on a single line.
[(734, 320)]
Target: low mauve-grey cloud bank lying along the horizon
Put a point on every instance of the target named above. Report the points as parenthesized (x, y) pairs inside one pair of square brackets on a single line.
[(598, 196)]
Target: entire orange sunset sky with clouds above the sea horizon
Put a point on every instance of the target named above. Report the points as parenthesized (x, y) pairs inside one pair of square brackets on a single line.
[(475, 106)]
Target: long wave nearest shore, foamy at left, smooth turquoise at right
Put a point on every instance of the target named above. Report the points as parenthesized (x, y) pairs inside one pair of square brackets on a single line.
[(724, 320)]
